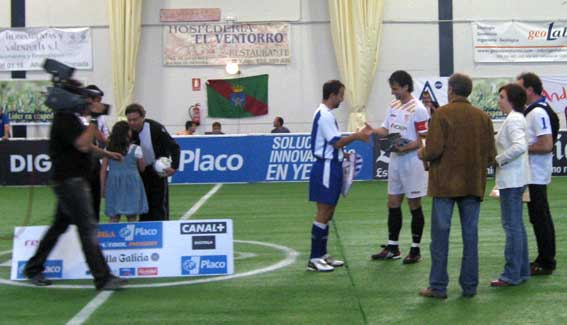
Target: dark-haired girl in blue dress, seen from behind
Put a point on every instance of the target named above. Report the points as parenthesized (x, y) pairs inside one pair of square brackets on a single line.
[(121, 184)]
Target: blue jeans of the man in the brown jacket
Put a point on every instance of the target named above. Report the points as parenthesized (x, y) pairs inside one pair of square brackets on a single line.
[(442, 211)]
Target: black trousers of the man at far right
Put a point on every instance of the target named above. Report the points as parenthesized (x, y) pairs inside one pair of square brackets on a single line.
[(540, 218)]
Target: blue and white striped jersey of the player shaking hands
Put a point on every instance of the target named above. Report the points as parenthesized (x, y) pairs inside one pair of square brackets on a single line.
[(324, 134)]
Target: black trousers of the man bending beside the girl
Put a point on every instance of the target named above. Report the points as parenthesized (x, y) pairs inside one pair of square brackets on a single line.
[(157, 193)]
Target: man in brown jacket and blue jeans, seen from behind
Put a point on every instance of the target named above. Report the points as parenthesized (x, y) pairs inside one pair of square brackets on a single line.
[(459, 148)]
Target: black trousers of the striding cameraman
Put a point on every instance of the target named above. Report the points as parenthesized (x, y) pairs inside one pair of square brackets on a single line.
[(73, 207)]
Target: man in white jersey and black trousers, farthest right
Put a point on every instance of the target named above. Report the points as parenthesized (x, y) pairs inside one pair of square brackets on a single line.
[(540, 146)]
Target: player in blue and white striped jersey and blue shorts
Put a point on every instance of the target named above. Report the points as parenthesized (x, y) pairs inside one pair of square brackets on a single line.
[(326, 176)]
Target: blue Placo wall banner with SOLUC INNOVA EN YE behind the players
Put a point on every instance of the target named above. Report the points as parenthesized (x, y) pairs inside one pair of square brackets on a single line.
[(257, 158)]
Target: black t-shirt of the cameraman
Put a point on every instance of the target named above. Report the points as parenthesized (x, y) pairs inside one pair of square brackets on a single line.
[(67, 160)]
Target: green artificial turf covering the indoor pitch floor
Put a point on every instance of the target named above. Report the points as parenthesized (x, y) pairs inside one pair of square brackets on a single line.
[(371, 292)]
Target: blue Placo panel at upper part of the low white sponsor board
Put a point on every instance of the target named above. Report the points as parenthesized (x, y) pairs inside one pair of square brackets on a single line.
[(141, 235)]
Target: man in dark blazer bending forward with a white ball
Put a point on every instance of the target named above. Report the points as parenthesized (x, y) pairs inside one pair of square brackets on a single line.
[(155, 142)]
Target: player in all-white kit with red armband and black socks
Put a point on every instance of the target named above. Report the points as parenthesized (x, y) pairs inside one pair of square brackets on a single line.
[(406, 173)]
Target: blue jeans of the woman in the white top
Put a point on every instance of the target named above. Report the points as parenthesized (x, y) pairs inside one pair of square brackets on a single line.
[(517, 267)]
